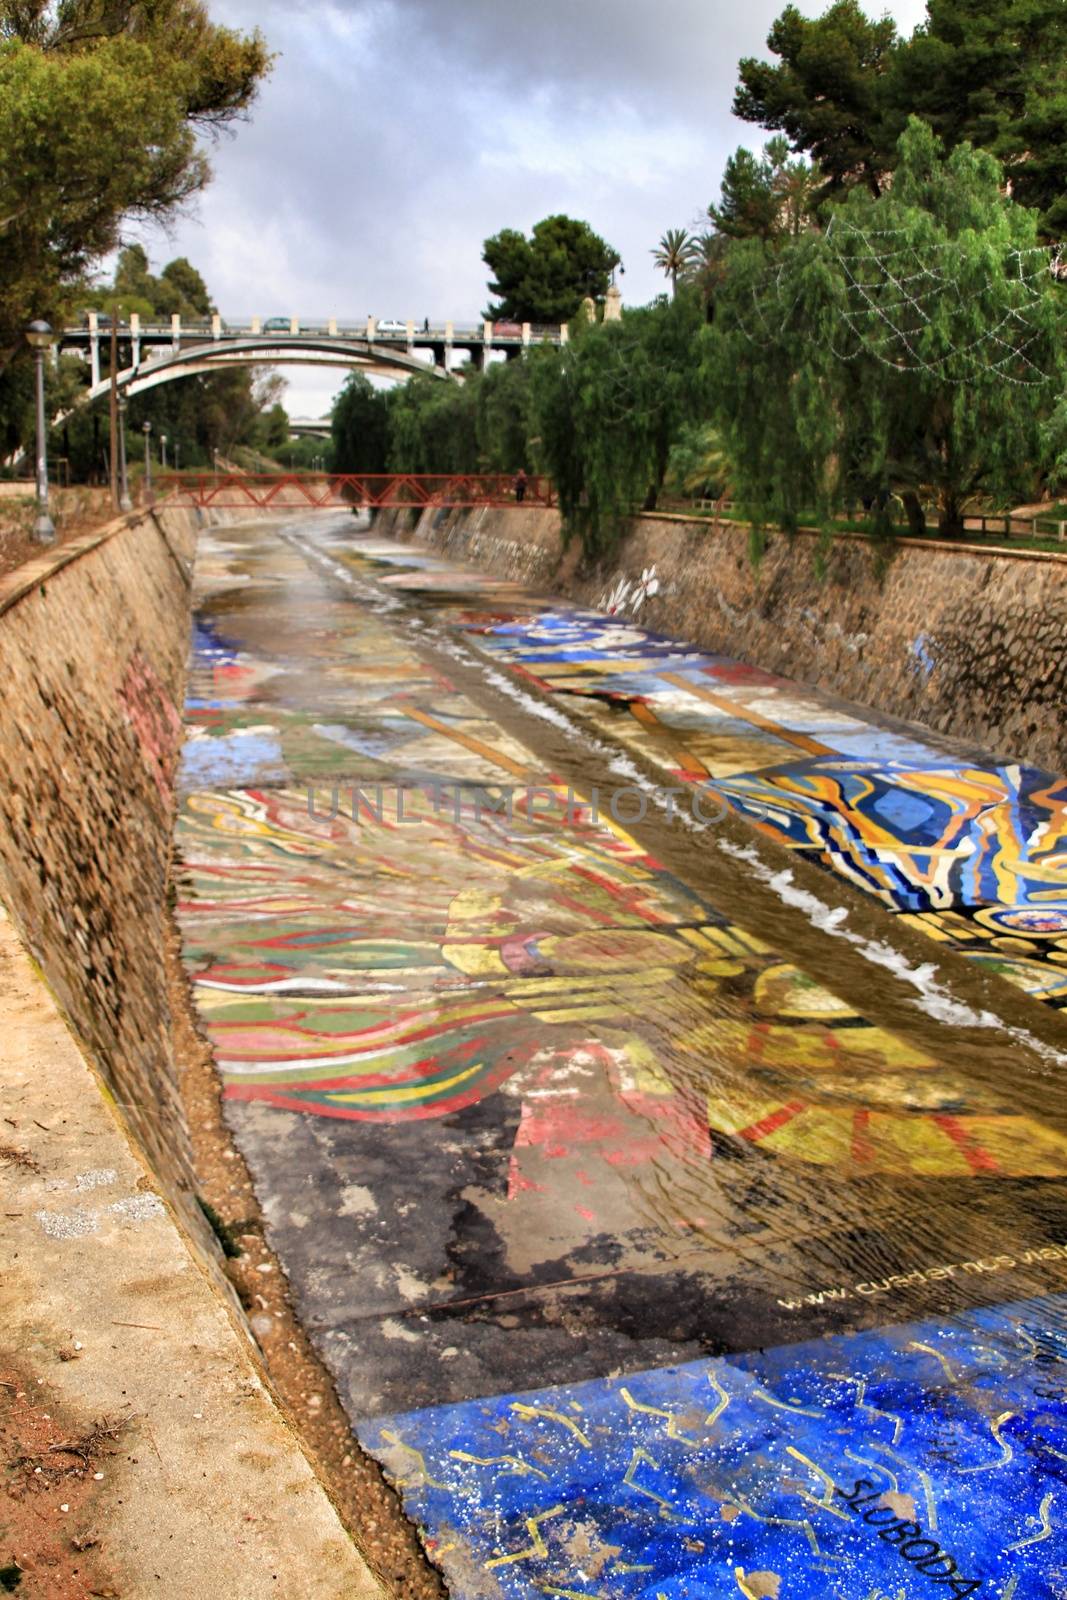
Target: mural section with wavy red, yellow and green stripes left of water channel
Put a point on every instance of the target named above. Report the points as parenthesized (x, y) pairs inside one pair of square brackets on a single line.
[(494, 938)]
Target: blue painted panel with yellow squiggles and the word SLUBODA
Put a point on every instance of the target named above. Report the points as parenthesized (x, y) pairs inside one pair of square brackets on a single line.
[(914, 1462)]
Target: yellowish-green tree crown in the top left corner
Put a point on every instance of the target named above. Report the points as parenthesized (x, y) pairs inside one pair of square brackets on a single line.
[(100, 110)]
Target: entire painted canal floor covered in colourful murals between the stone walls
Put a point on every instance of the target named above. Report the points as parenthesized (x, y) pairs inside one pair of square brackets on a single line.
[(657, 1246)]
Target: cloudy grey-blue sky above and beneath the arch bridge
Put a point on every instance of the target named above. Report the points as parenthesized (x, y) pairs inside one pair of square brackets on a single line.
[(396, 135)]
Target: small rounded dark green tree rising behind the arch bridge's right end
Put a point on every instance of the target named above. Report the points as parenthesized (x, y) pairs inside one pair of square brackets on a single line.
[(545, 279)]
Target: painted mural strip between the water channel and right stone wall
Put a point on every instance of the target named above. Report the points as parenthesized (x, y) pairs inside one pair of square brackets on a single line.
[(892, 815)]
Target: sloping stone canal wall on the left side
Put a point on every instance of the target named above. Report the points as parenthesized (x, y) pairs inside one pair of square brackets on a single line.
[(94, 642)]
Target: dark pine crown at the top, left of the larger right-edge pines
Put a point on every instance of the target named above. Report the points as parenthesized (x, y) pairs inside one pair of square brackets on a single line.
[(828, 92)]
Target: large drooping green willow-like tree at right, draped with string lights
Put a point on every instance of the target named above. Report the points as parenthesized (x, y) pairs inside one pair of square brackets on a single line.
[(913, 351)]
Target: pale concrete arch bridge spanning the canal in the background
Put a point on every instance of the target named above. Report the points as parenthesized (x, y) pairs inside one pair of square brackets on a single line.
[(159, 353)]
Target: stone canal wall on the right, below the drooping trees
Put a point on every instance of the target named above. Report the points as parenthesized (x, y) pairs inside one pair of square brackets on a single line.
[(965, 641)]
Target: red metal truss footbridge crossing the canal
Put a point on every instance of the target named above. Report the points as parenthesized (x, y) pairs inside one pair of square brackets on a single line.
[(350, 489)]
